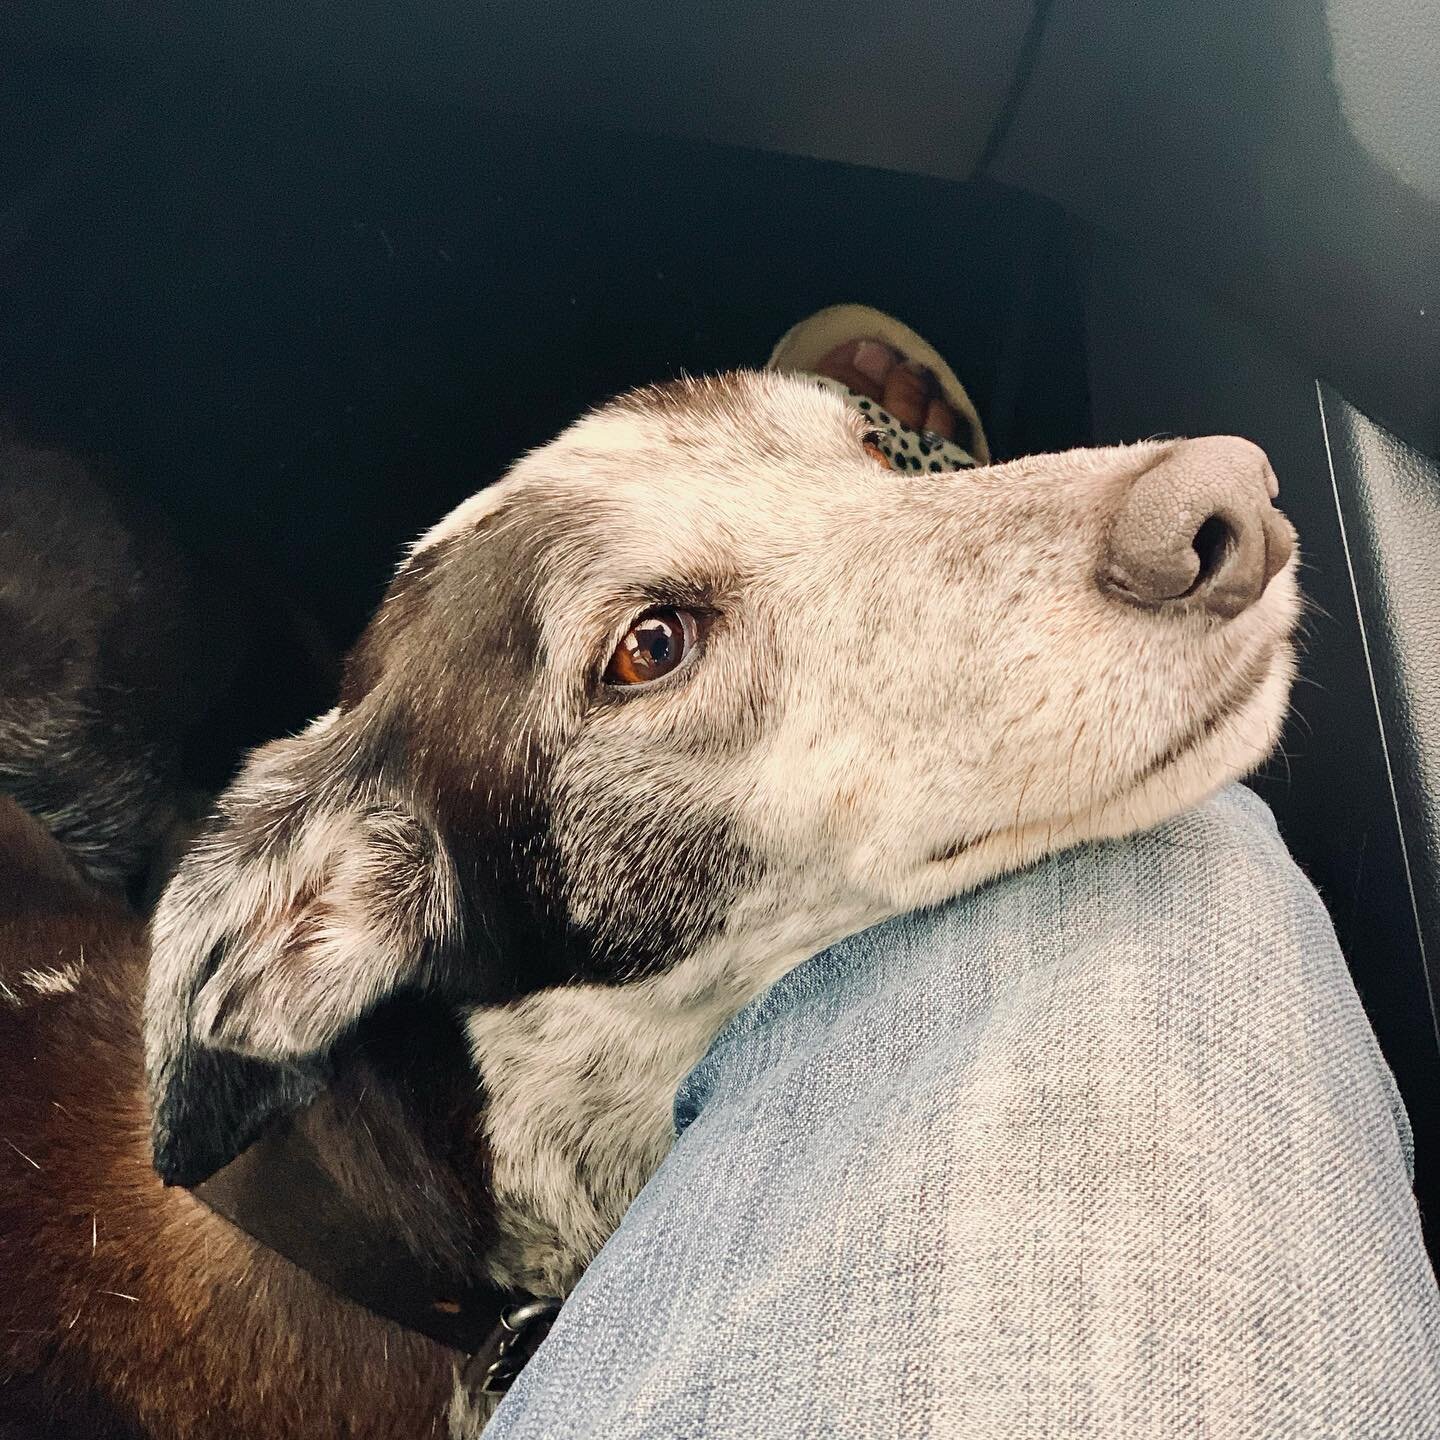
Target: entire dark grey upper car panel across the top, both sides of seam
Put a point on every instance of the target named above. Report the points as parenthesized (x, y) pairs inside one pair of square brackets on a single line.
[(1282, 155)]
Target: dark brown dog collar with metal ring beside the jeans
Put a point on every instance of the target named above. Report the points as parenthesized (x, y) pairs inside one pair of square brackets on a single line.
[(280, 1193)]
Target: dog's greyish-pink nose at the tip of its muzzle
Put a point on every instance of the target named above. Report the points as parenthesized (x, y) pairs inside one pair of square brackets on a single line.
[(1197, 531)]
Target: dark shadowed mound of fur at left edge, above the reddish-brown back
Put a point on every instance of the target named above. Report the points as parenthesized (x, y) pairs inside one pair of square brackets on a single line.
[(89, 724)]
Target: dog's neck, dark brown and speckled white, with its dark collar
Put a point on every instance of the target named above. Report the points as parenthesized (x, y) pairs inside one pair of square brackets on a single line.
[(454, 1144)]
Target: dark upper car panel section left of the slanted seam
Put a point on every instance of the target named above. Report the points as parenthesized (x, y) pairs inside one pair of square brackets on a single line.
[(915, 89)]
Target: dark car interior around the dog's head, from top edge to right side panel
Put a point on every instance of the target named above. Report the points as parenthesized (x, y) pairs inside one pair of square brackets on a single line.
[(312, 274)]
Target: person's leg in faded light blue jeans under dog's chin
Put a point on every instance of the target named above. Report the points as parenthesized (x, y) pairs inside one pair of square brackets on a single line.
[(1105, 1150)]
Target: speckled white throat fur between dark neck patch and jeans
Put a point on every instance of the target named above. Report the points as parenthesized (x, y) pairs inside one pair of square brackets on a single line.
[(593, 1071)]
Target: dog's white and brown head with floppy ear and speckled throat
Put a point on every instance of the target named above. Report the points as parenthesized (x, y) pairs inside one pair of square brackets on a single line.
[(693, 692)]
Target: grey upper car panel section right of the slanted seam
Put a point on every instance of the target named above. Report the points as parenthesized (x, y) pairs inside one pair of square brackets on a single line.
[(1281, 155)]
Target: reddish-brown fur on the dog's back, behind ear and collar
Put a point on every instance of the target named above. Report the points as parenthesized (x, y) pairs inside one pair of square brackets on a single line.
[(130, 1310)]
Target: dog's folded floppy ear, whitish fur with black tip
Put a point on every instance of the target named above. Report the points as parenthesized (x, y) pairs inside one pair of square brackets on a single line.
[(315, 895)]
